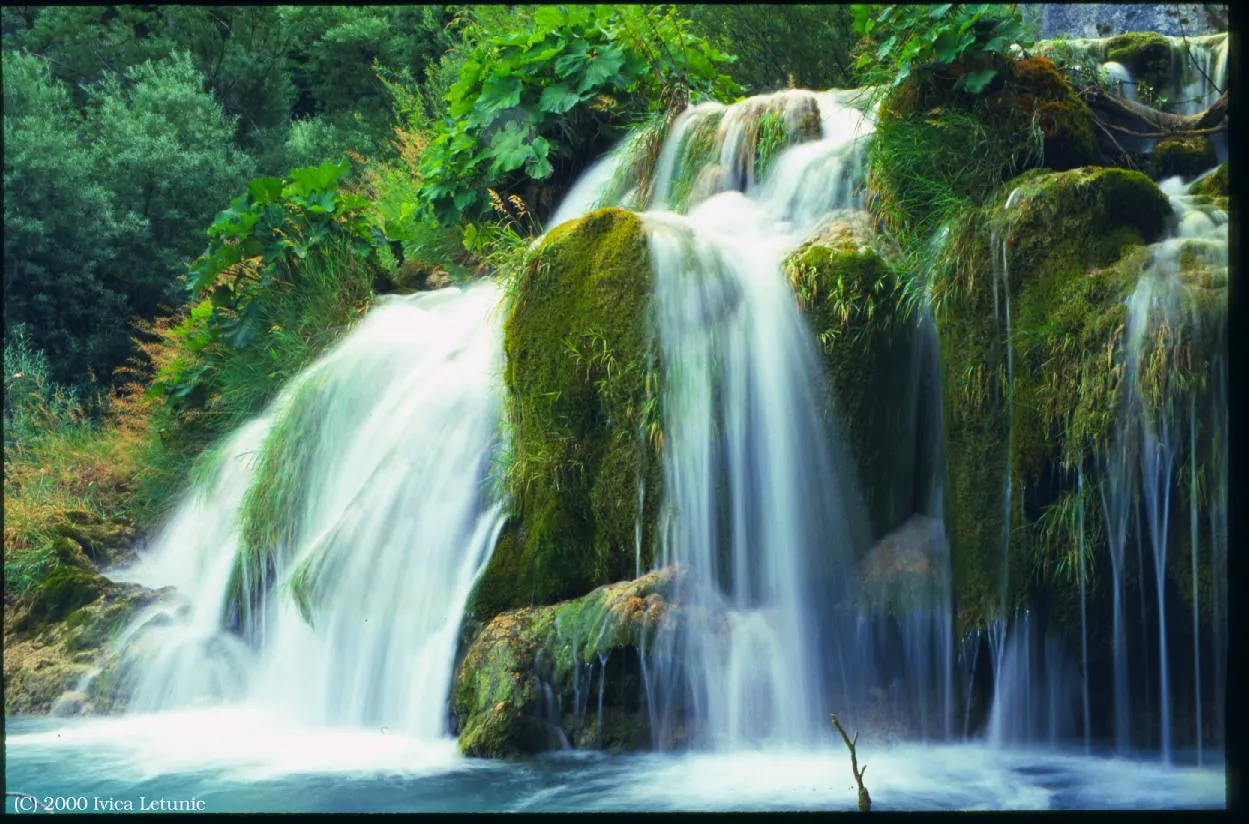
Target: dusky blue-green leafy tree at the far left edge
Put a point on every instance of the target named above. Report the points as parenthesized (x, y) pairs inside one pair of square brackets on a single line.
[(63, 232)]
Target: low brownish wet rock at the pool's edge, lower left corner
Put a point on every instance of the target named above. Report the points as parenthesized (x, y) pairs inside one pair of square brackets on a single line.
[(67, 665)]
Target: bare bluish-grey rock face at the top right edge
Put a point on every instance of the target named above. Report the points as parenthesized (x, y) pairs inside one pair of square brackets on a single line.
[(1106, 21)]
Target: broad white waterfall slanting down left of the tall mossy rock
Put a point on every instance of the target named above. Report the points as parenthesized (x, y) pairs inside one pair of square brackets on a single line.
[(400, 421)]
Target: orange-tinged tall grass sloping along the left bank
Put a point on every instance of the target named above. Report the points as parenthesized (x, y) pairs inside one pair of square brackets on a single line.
[(126, 460)]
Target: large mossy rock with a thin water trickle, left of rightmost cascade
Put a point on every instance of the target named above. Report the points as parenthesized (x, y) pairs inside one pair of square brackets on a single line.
[(1061, 245)]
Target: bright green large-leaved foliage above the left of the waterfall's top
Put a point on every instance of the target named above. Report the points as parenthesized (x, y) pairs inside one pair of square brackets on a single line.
[(545, 97)]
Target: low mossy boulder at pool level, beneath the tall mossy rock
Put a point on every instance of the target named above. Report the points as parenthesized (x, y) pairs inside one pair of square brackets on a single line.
[(498, 697)]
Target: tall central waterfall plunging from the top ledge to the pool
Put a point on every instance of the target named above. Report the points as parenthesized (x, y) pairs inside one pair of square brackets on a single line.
[(758, 506)]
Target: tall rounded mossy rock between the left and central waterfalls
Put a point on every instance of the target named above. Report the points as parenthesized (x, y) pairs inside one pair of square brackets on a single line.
[(583, 404)]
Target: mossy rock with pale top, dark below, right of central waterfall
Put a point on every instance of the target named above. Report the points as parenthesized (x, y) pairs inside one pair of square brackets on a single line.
[(849, 295)]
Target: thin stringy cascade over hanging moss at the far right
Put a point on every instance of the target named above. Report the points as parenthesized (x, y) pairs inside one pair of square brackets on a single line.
[(1163, 323)]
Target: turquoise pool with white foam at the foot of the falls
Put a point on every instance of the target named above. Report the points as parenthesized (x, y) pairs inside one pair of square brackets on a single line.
[(232, 761)]
